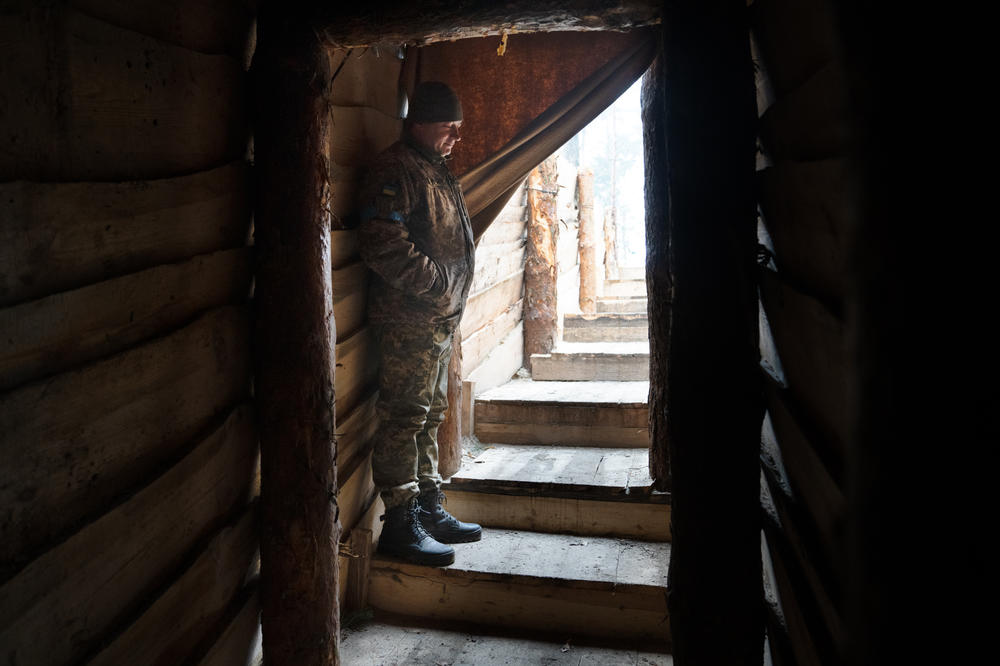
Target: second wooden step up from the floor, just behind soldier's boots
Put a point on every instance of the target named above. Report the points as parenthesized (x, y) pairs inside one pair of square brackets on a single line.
[(571, 490)]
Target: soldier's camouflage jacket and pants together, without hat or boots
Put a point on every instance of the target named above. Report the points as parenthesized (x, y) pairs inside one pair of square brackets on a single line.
[(416, 236)]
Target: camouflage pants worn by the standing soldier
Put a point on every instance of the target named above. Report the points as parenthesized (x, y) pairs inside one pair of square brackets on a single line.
[(413, 397)]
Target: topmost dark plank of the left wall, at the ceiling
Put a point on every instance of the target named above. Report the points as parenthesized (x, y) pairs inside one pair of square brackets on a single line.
[(209, 26)]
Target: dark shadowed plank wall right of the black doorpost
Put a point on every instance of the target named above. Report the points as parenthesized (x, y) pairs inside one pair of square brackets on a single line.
[(804, 211)]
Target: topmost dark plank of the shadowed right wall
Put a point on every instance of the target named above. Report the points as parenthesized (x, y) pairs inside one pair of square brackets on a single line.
[(796, 38)]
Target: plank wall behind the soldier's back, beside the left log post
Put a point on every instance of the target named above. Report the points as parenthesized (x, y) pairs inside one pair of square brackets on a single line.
[(364, 109)]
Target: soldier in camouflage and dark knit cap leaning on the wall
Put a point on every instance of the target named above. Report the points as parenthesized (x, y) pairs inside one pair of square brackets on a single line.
[(416, 236)]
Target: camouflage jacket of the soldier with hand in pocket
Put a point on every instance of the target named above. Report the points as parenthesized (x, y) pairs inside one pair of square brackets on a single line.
[(416, 236)]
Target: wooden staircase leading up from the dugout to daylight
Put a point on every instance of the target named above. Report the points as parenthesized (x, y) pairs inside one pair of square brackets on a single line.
[(575, 543)]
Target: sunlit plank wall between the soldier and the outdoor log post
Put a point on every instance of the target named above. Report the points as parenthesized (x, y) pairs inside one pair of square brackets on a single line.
[(492, 328)]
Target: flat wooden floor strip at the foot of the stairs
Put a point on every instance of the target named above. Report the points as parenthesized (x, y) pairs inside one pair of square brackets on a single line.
[(397, 640)]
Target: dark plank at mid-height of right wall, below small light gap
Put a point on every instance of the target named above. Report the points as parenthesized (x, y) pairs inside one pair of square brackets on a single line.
[(811, 343)]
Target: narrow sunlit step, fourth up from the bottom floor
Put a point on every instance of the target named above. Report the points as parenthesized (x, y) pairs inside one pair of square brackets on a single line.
[(585, 361)]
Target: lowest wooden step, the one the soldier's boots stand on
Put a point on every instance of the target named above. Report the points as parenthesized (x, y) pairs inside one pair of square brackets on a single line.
[(571, 586)]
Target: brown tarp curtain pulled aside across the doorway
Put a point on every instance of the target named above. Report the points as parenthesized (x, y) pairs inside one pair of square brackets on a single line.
[(522, 106)]
